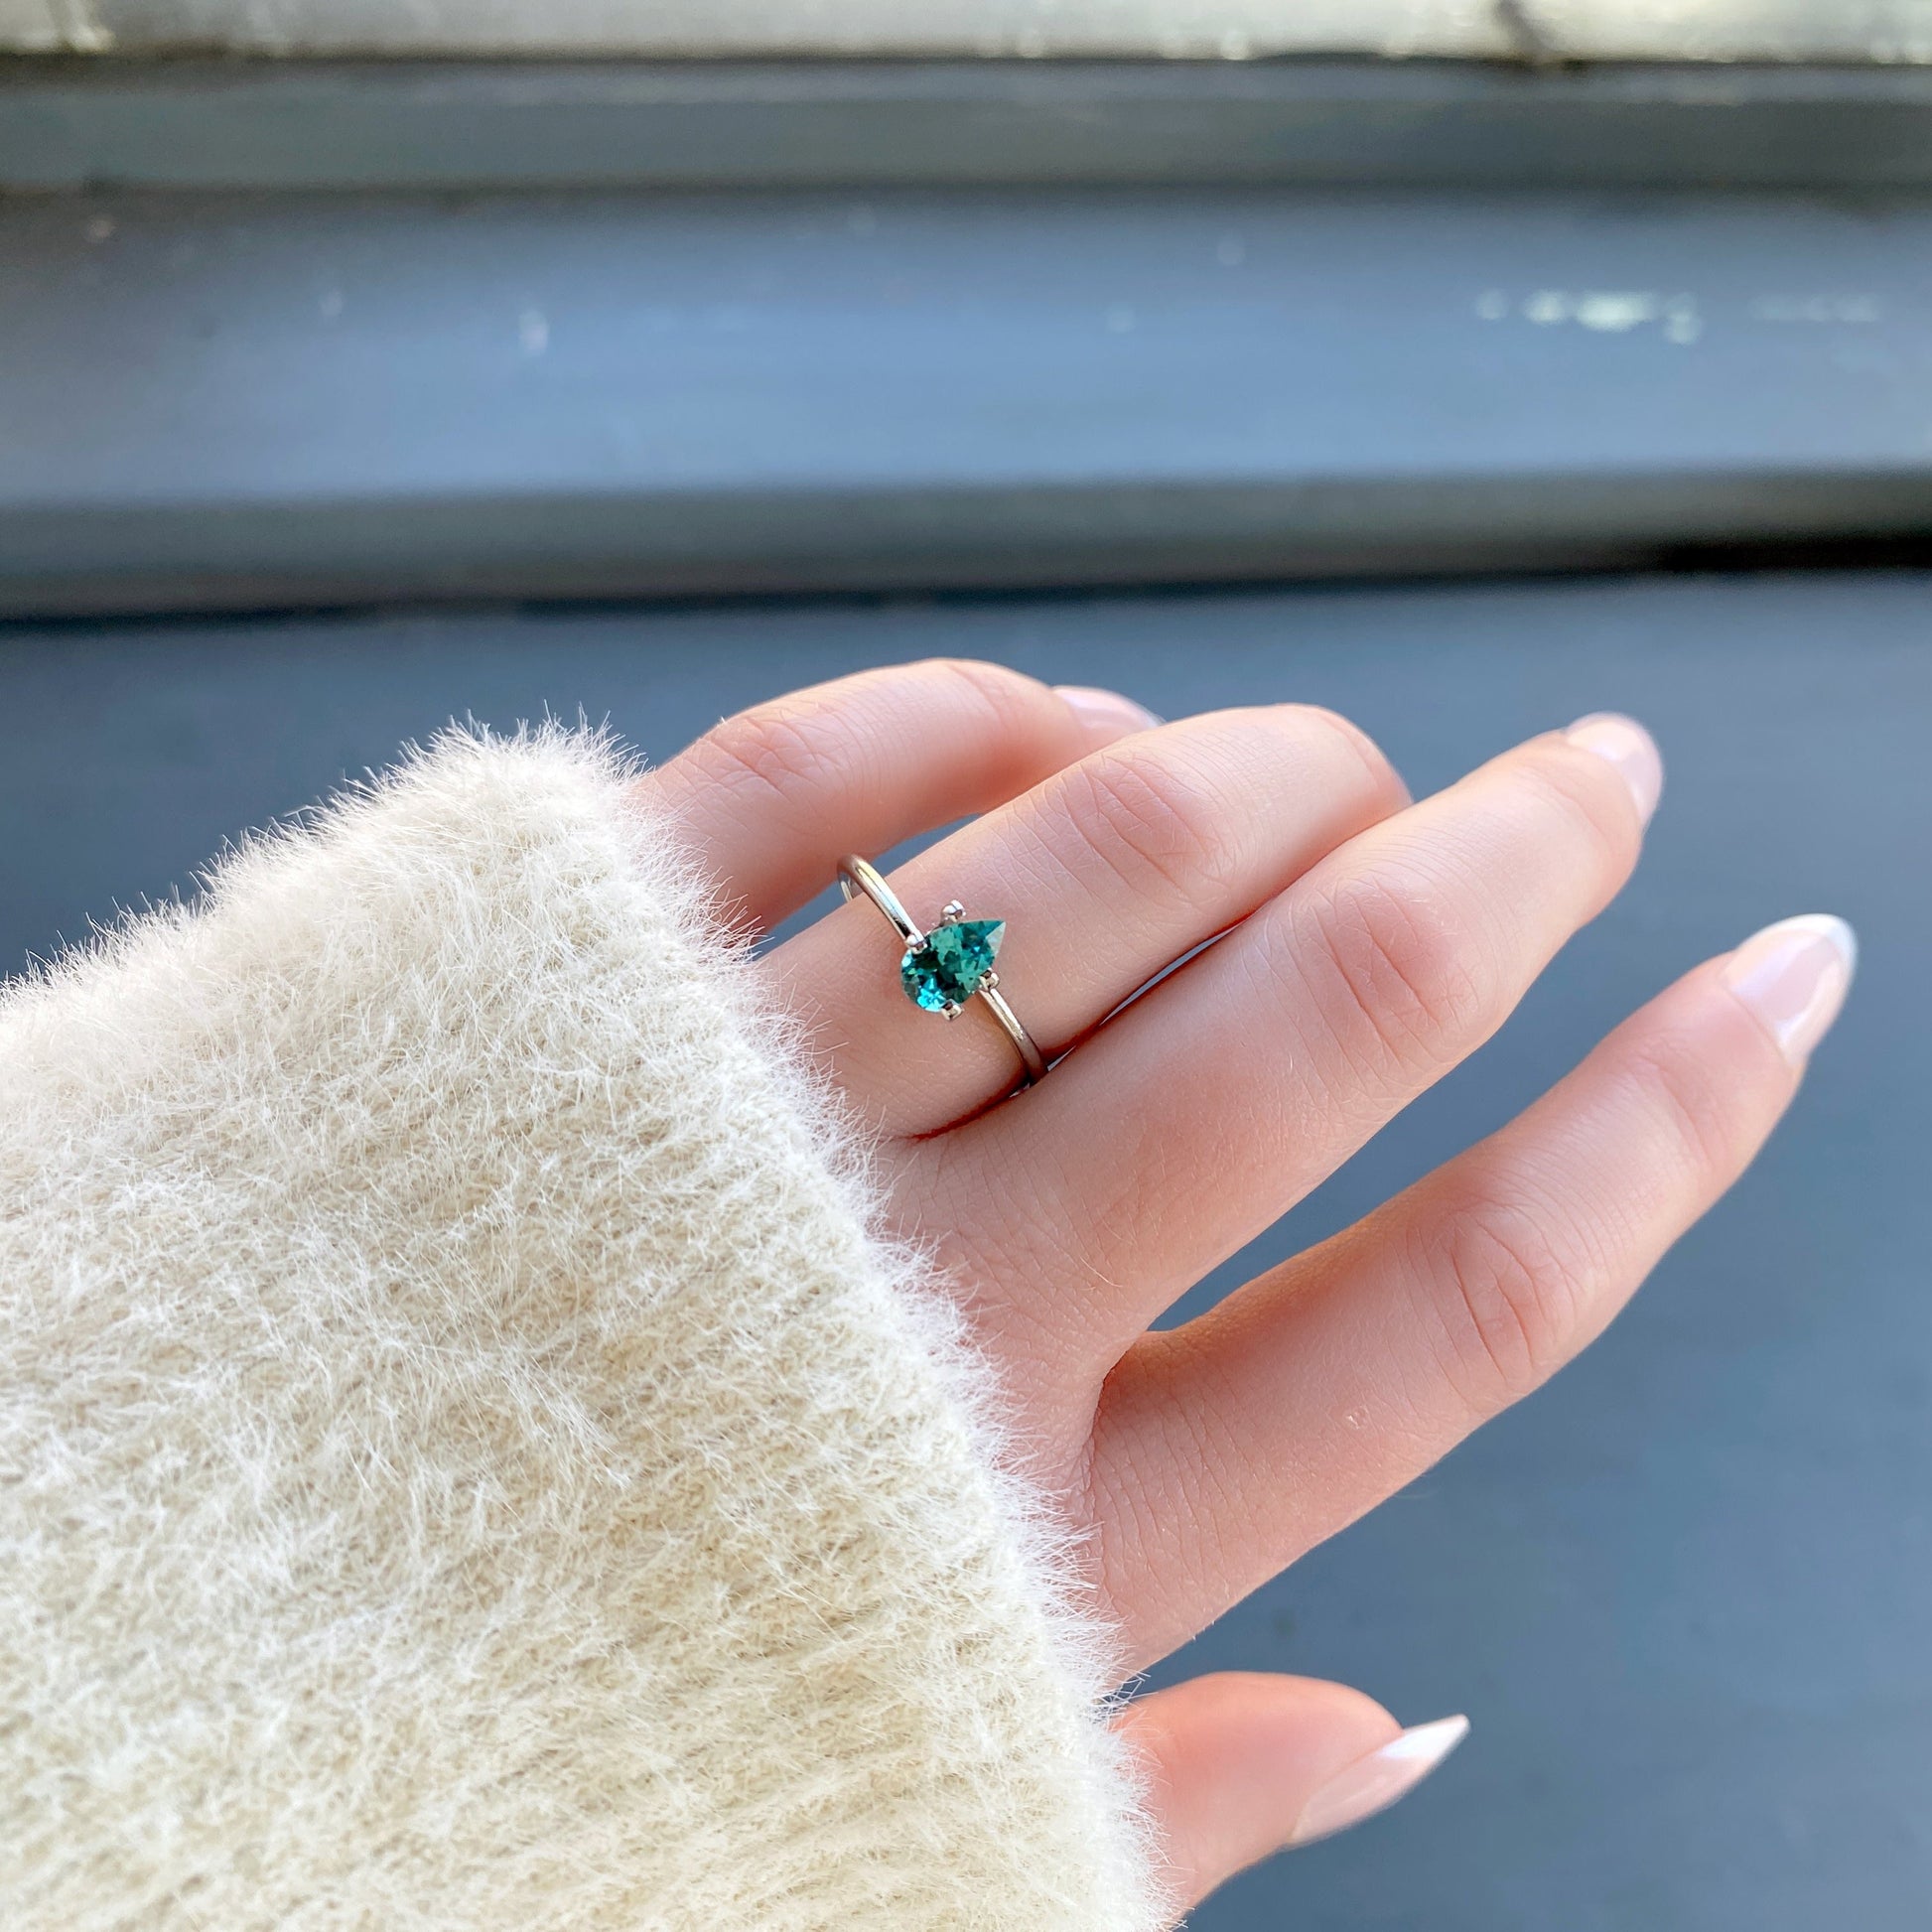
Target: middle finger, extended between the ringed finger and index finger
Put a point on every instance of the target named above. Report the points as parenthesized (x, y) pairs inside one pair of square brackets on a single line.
[(1205, 1112)]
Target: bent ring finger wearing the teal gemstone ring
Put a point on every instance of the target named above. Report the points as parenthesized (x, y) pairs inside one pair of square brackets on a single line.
[(1104, 874)]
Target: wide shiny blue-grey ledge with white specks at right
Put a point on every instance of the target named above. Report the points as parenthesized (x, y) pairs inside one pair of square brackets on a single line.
[(310, 399)]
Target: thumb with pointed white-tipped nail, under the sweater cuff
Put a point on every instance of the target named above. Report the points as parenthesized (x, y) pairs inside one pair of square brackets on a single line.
[(1241, 1767)]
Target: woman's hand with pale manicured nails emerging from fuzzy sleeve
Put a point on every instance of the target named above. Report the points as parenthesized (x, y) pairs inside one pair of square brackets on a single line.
[(1371, 946)]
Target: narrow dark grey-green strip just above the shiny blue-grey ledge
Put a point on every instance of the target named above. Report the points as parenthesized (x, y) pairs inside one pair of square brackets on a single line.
[(194, 123)]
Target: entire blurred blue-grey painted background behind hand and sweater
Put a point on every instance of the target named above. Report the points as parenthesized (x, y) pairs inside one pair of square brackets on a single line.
[(1462, 366)]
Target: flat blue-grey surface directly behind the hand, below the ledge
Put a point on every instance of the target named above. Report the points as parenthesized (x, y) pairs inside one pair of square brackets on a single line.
[(1684, 1593)]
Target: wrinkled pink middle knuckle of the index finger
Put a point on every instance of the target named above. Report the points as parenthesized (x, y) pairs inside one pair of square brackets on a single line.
[(1504, 1293)]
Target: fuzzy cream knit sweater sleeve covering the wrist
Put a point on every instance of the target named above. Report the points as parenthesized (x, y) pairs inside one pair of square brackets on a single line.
[(465, 1462)]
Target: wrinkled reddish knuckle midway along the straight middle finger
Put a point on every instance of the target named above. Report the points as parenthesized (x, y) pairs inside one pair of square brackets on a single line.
[(1406, 973)]
